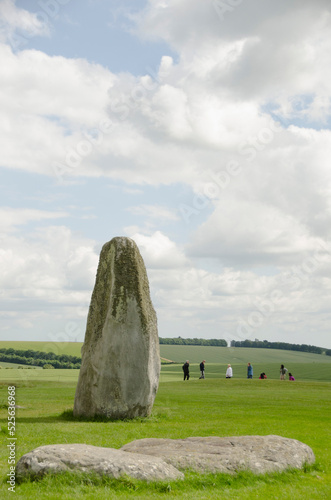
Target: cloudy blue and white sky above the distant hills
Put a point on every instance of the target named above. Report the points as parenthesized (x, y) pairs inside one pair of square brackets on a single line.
[(201, 130)]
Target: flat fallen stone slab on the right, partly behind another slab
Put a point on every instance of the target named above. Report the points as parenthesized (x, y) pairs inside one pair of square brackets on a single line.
[(259, 454)]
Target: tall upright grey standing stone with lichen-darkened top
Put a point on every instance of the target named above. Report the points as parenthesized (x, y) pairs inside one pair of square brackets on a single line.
[(120, 367)]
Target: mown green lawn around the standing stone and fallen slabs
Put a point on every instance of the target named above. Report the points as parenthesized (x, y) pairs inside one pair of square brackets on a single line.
[(214, 406)]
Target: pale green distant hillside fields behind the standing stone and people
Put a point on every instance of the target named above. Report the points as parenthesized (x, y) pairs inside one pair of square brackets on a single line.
[(304, 366)]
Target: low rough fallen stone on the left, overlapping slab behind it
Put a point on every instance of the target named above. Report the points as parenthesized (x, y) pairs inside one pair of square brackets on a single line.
[(86, 458)]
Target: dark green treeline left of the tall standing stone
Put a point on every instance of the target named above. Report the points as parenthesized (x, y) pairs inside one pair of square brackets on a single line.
[(38, 358)]
